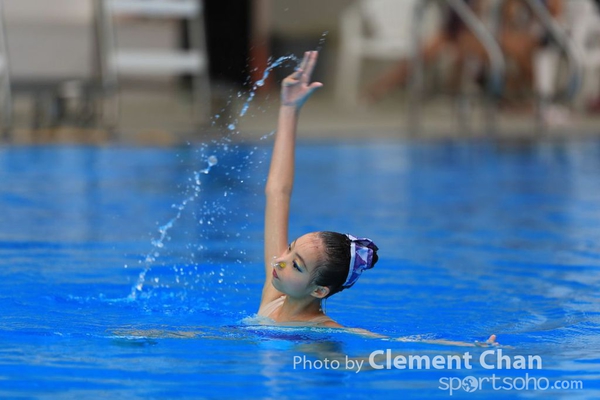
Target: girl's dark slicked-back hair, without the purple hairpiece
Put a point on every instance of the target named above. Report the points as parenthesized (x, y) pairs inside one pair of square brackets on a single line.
[(333, 271)]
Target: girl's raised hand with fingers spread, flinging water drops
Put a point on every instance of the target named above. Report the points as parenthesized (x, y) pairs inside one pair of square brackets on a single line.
[(297, 88)]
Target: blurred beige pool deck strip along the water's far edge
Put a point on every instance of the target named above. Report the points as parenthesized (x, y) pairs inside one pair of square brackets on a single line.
[(165, 119)]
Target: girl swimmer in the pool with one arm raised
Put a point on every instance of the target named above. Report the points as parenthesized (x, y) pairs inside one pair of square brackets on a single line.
[(300, 274)]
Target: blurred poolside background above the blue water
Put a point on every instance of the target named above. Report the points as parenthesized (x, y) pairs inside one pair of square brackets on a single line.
[(163, 72)]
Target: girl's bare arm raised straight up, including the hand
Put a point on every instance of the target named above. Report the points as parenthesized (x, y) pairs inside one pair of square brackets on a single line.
[(295, 90)]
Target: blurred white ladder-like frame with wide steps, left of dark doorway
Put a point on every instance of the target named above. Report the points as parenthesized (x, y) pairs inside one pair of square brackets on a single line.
[(116, 61)]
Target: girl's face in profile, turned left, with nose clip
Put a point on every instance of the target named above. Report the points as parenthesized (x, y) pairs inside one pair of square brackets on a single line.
[(292, 271)]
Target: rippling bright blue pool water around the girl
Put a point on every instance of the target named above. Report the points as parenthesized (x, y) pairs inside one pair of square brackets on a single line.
[(475, 238)]
